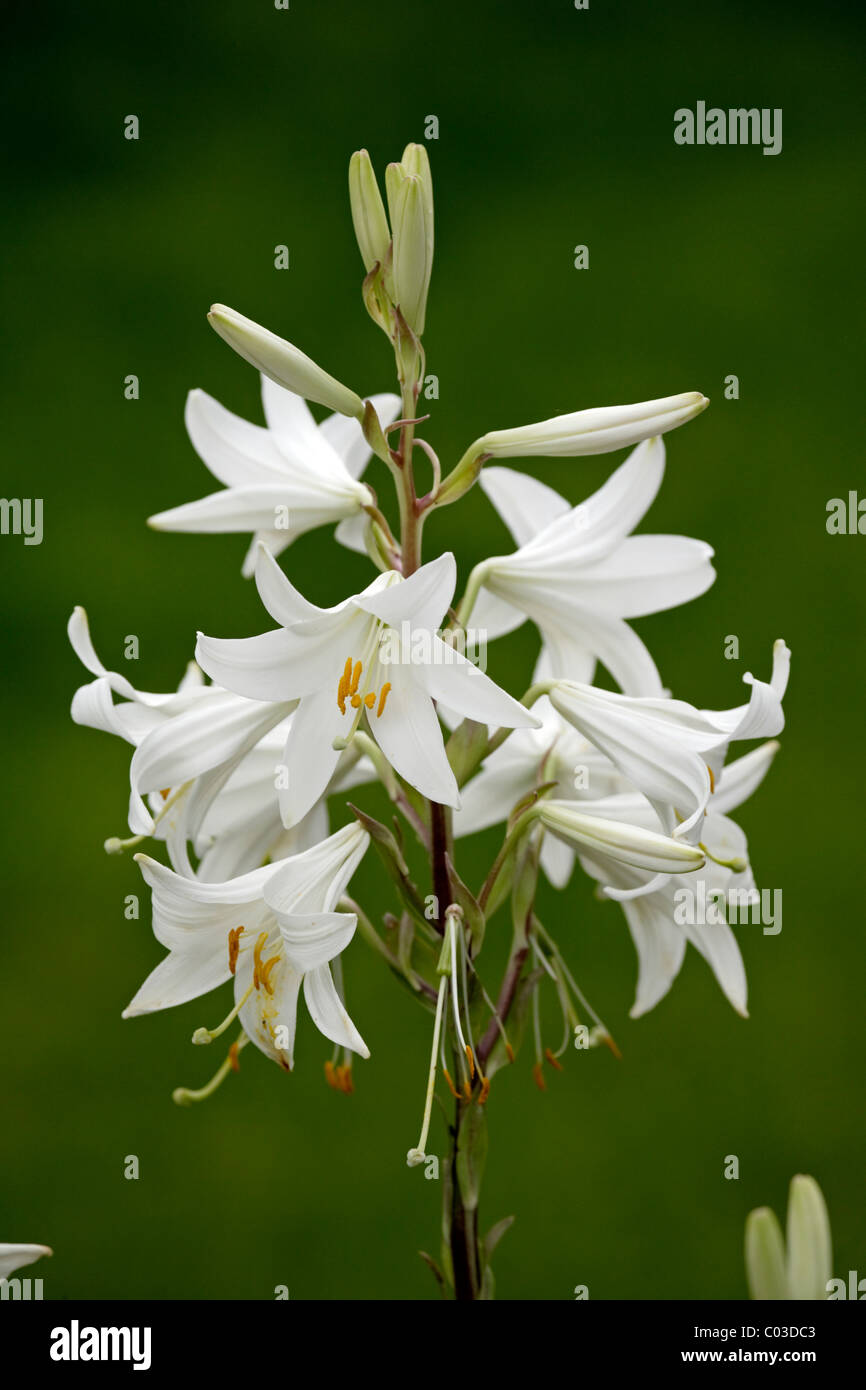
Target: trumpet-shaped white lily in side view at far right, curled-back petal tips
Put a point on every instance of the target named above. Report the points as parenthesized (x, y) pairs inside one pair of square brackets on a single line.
[(669, 750)]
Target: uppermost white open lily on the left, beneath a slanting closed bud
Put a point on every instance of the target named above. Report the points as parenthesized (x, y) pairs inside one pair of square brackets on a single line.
[(283, 480)]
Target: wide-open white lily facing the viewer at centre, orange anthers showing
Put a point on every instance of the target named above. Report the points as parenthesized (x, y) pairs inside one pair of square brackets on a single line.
[(340, 665)]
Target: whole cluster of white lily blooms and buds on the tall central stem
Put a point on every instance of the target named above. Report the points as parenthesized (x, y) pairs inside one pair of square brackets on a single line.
[(241, 771)]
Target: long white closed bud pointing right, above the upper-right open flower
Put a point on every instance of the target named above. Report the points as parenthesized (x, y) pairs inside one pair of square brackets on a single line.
[(594, 432)]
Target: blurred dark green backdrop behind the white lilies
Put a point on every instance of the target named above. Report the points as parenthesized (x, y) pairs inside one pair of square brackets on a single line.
[(555, 130)]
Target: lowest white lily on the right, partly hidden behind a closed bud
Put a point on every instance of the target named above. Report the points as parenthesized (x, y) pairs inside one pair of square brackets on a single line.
[(651, 903)]
